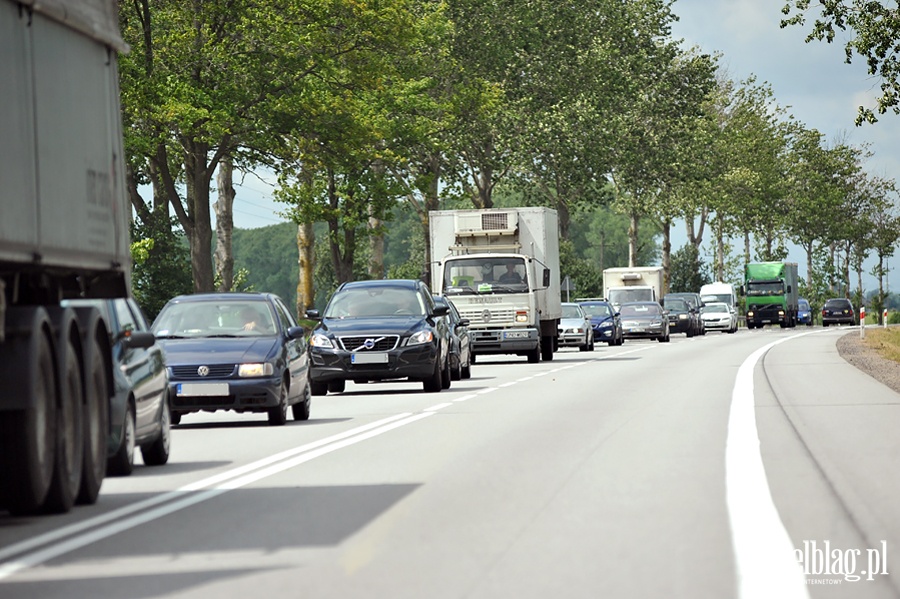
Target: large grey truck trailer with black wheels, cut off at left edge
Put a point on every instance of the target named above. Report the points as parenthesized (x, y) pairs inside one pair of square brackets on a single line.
[(63, 234)]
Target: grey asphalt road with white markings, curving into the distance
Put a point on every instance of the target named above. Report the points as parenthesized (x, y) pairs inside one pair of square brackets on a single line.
[(757, 464)]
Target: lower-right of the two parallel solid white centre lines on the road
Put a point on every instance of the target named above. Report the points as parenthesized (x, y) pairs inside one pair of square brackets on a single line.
[(39, 557)]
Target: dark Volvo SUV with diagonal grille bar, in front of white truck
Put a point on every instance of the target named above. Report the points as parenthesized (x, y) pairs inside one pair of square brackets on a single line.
[(380, 330)]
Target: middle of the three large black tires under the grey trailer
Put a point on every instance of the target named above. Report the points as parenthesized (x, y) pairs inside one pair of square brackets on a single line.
[(69, 459)]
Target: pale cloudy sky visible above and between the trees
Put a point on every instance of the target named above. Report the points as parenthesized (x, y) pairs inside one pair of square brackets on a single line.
[(811, 80)]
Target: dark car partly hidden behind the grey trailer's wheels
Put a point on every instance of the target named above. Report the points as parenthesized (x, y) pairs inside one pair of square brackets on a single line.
[(139, 410)]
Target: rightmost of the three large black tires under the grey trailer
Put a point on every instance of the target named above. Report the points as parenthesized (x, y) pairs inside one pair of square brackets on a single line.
[(97, 391)]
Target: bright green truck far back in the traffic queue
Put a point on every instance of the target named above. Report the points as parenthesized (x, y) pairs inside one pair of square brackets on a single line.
[(771, 294)]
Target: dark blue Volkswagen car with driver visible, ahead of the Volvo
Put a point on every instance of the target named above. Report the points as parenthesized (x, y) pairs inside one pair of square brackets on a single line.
[(234, 351)]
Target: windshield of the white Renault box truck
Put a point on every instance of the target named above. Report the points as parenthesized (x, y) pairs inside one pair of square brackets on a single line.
[(485, 275)]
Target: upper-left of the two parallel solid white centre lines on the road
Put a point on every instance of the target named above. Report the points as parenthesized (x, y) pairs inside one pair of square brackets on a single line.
[(72, 529)]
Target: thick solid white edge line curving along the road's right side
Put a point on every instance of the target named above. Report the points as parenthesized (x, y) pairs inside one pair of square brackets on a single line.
[(763, 551)]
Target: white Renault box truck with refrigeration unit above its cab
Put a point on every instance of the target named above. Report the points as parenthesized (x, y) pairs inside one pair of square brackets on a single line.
[(500, 268)]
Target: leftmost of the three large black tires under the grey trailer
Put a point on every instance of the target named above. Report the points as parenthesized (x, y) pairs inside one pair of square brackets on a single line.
[(28, 436)]
